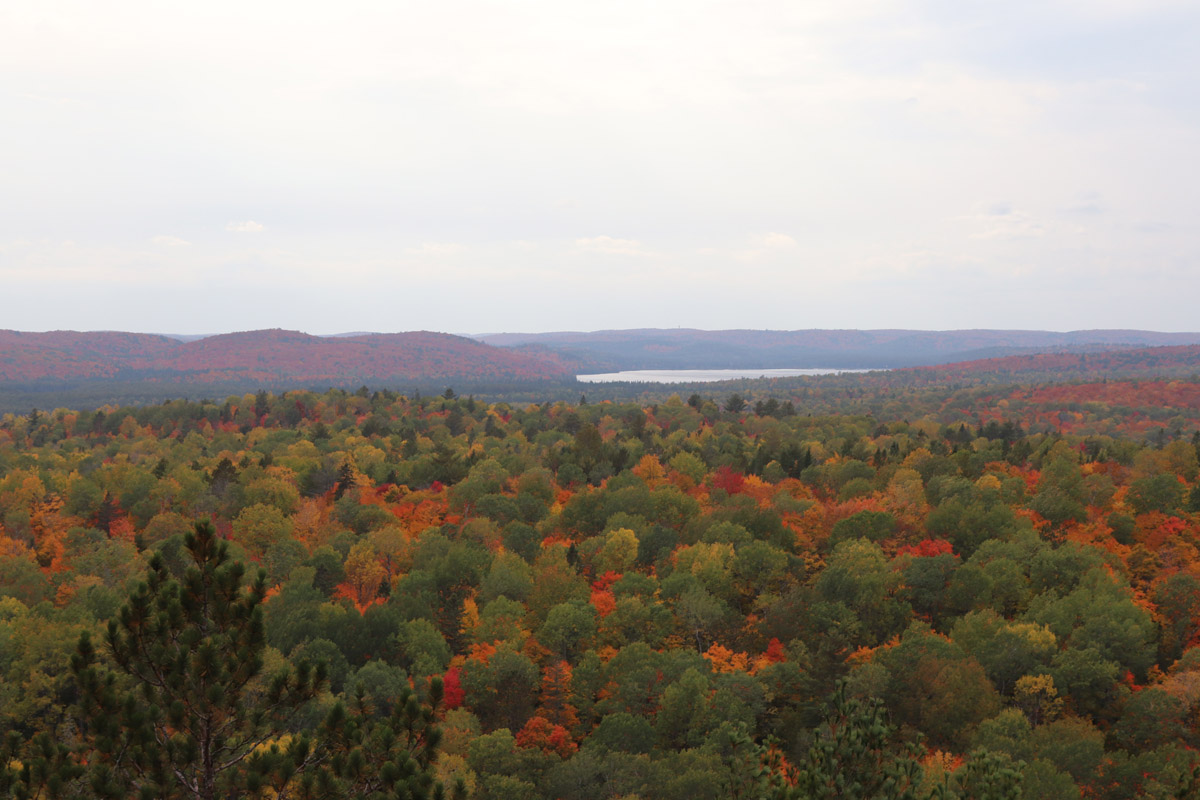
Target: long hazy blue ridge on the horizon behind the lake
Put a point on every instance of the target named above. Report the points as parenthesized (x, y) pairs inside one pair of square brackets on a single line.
[(697, 350)]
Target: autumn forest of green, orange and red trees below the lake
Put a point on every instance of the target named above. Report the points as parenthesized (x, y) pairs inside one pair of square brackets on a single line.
[(890, 590)]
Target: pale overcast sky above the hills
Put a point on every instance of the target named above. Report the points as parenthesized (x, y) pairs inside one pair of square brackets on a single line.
[(537, 166)]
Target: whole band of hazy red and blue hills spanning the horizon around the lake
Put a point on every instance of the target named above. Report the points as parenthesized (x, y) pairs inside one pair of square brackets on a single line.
[(94, 369)]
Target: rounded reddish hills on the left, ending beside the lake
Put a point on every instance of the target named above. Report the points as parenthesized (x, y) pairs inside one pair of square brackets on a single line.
[(271, 358)]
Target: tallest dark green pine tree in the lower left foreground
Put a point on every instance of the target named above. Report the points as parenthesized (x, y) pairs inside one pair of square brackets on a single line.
[(187, 709)]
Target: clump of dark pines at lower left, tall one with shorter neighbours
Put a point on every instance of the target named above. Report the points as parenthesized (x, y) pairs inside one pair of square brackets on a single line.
[(189, 715)]
